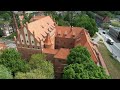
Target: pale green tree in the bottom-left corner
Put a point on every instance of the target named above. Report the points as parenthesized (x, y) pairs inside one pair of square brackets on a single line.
[(4, 73)]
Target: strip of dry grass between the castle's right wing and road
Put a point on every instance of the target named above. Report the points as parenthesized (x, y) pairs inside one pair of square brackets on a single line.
[(112, 64)]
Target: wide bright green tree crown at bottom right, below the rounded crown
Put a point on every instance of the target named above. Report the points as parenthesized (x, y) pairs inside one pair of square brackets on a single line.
[(84, 71)]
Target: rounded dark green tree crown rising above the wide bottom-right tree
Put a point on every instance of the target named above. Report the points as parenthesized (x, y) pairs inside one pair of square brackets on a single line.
[(78, 54)]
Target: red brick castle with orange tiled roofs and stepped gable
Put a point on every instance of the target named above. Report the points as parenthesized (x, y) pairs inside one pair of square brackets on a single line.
[(43, 35)]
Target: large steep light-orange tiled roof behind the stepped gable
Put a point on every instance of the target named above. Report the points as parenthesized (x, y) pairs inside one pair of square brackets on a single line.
[(41, 27)]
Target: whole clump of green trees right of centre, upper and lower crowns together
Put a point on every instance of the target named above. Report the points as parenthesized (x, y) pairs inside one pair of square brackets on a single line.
[(81, 66)]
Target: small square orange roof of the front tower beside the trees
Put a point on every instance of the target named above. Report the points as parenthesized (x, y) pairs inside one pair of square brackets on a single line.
[(62, 53)]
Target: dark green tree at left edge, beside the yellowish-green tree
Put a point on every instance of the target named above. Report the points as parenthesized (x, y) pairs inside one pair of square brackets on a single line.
[(11, 59)]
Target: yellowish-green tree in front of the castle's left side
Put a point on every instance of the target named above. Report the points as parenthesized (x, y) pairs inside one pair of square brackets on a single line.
[(40, 68)]
